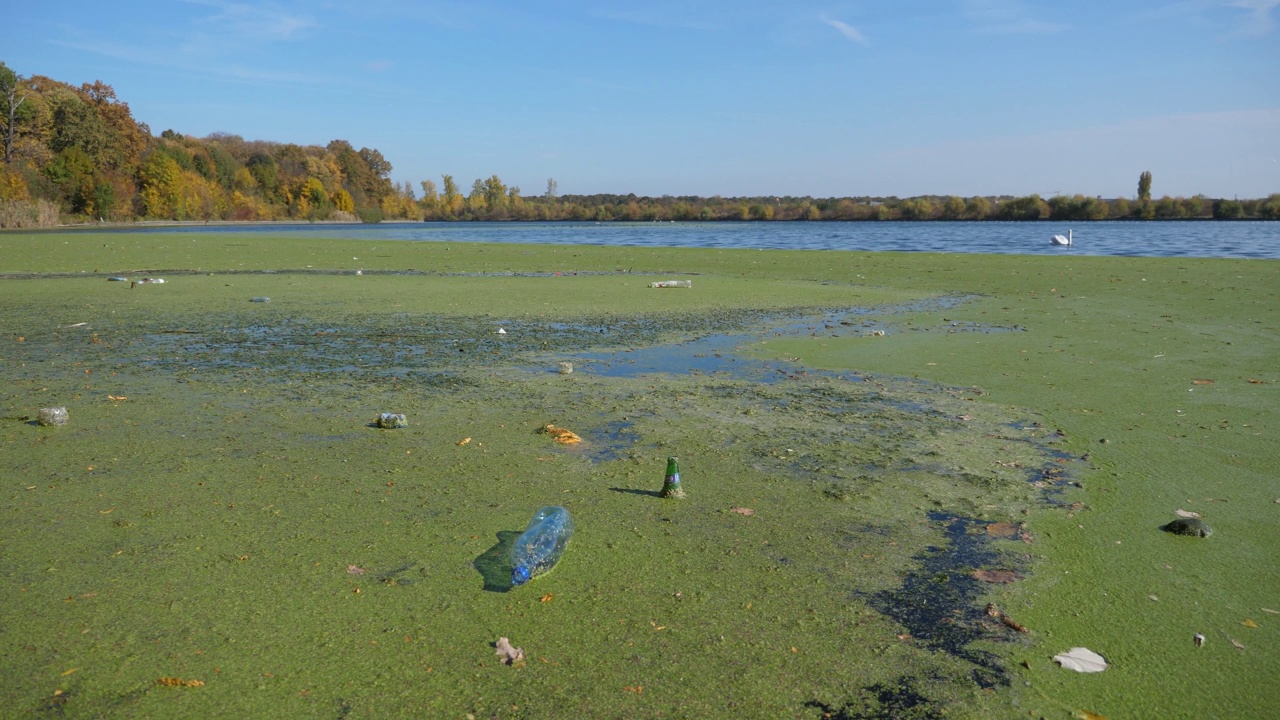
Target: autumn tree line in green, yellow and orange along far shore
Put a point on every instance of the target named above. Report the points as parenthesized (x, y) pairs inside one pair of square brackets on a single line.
[(77, 154)]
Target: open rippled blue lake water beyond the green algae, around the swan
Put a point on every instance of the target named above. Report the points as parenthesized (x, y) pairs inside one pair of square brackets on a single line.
[(1191, 239)]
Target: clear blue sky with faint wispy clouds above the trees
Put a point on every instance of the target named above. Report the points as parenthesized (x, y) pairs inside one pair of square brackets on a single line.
[(710, 98)]
